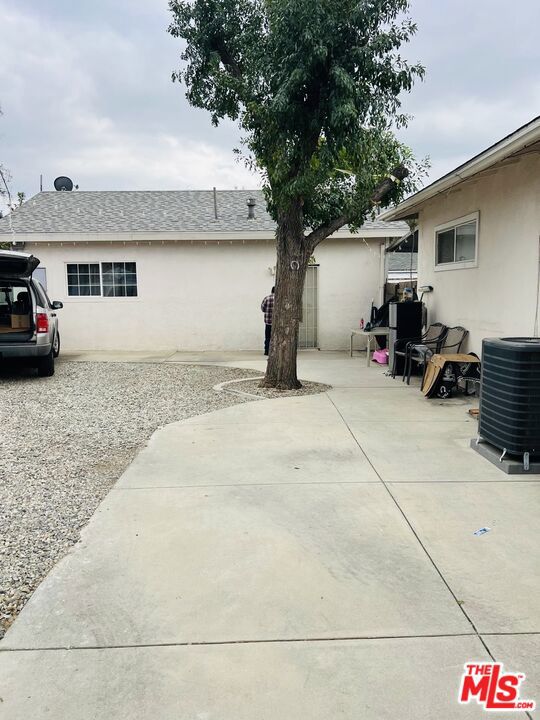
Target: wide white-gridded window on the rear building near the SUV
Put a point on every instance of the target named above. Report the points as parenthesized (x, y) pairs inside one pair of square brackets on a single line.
[(109, 279)]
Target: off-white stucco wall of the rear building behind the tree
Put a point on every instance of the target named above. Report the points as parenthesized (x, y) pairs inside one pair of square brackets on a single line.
[(197, 297)]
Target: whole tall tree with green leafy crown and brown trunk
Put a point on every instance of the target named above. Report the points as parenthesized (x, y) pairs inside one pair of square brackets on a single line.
[(314, 86)]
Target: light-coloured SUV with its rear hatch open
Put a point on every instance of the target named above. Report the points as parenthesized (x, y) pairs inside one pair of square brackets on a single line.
[(28, 322)]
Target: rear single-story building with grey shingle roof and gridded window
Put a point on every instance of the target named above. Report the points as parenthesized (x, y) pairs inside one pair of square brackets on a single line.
[(187, 270)]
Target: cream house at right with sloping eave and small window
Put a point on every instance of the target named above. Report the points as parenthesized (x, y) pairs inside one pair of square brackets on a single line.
[(479, 240)]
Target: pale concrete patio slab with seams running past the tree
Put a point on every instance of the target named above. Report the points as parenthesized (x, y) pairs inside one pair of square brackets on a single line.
[(307, 557)]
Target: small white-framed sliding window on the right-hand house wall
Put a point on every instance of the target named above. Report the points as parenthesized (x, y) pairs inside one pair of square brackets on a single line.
[(456, 243)]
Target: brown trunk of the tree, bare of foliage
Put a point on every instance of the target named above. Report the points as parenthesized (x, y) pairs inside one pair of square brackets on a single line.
[(292, 261)]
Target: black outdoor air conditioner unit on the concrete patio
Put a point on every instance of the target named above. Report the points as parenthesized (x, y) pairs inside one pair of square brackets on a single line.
[(510, 397)]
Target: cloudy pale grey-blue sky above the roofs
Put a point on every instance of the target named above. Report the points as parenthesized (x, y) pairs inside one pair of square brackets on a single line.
[(86, 91)]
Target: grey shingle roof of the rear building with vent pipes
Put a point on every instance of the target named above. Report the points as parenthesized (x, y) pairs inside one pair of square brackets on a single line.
[(145, 211)]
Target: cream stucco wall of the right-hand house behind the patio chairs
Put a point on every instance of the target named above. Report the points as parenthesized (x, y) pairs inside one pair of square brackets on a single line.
[(498, 297)]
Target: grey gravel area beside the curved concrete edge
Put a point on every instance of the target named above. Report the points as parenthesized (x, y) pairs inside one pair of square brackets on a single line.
[(65, 440)]
